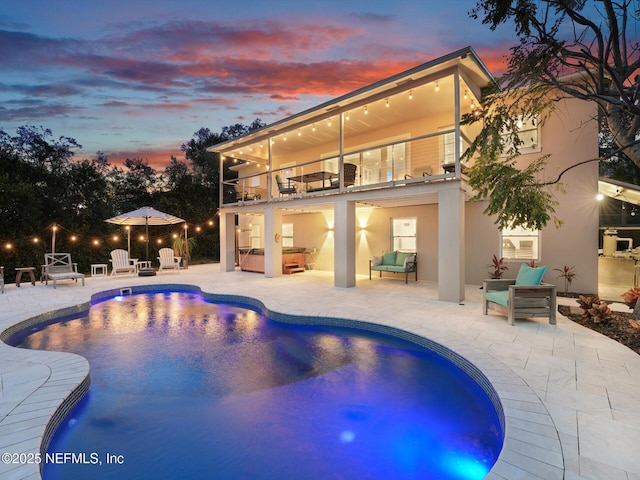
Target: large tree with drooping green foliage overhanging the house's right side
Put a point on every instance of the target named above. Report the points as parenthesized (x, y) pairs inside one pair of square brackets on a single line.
[(567, 49)]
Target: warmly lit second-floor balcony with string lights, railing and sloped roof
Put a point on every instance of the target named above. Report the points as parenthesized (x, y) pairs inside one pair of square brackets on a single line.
[(402, 130)]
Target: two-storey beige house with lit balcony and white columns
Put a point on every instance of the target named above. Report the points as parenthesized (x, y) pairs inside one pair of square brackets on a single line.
[(379, 169)]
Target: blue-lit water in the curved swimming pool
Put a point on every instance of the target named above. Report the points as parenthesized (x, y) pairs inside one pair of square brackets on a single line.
[(183, 388)]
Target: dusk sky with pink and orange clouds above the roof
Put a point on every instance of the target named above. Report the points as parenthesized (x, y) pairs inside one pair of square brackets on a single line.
[(138, 78)]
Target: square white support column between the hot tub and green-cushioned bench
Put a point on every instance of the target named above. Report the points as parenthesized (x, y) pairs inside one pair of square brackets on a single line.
[(344, 263)]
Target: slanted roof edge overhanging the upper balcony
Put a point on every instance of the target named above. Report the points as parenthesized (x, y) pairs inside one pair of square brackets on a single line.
[(473, 70)]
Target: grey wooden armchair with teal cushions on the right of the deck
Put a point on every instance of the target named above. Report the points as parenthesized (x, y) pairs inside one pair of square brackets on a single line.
[(523, 297)]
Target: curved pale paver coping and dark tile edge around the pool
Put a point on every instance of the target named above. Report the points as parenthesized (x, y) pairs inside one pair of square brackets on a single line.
[(527, 443)]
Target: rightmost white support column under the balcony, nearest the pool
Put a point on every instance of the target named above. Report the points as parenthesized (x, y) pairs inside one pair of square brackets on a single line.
[(451, 271)]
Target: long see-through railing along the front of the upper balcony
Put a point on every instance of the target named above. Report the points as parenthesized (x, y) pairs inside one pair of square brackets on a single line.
[(427, 158)]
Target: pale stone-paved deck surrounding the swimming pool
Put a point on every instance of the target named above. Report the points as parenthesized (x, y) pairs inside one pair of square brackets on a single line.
[(570, 395)]
